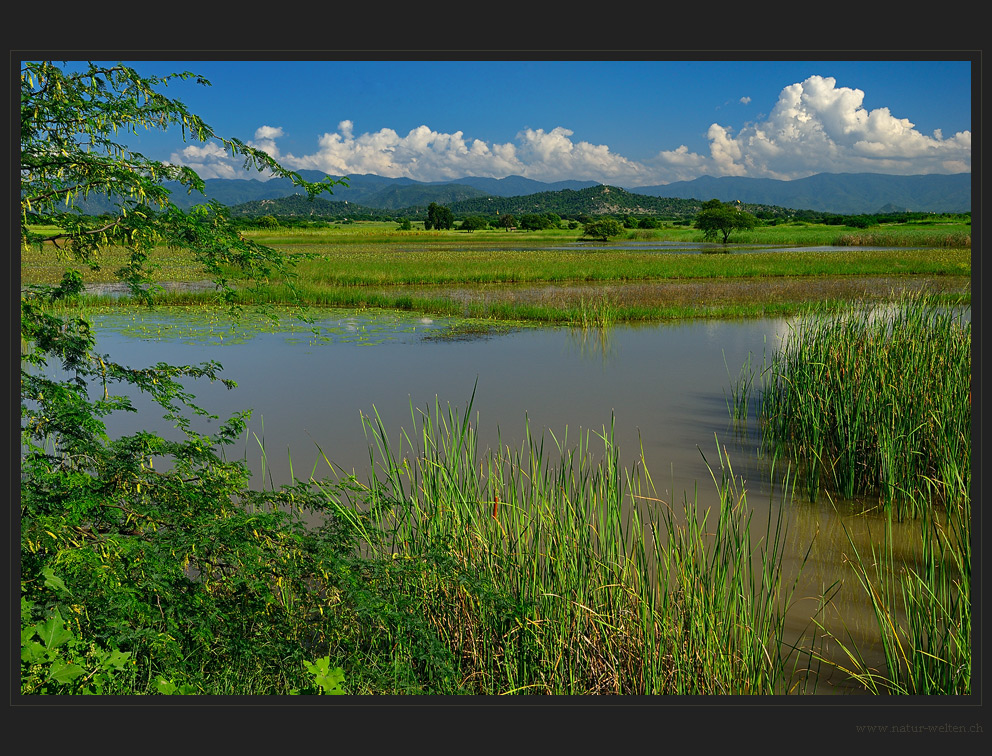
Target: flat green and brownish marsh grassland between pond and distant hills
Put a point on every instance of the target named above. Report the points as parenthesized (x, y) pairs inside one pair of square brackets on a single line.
[(551, 276)]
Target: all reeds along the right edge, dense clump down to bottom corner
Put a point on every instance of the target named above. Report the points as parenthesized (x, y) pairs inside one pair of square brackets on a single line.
[(875, 403)]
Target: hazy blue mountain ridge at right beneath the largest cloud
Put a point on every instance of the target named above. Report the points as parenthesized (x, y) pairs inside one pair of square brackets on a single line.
[(841, 193)]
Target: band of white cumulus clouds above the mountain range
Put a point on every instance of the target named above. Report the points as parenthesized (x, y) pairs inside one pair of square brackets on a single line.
[(815, 126)]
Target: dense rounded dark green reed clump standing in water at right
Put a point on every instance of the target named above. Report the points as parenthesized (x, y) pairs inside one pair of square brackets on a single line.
[(875, 400)]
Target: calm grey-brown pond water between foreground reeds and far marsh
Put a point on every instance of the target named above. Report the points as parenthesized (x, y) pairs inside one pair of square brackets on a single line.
[(663, 388)]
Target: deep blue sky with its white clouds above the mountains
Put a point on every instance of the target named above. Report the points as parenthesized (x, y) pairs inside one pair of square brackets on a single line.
[(628, 123)]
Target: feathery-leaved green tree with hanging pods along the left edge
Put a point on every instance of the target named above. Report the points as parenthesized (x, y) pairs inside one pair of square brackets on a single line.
[(172, 565)]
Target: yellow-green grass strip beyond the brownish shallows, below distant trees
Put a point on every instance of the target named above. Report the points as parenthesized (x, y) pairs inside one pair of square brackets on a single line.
[(377, 256)]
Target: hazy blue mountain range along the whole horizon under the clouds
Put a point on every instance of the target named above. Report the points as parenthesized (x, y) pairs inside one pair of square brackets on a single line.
[(839, 193)]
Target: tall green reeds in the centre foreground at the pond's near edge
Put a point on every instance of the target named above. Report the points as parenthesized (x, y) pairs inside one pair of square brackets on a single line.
[(572, 577)]
